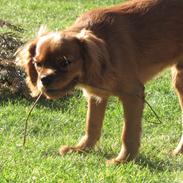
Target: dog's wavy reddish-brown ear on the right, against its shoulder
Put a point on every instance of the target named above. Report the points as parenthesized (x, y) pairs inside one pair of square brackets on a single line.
[(94, 53)]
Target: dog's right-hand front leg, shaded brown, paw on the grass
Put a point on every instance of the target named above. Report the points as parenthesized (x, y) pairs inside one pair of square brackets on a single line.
[(133, 108)]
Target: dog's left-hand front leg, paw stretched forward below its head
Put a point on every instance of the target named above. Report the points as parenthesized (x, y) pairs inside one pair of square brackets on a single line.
[(95, 116)]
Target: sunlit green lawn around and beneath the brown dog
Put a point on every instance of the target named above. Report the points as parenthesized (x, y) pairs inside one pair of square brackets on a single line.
[(54, 123)]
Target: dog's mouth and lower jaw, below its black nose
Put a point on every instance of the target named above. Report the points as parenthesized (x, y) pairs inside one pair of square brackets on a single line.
[(59, 92)]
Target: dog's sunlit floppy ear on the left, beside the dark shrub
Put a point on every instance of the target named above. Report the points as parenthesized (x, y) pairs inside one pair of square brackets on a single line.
[(24, 59)]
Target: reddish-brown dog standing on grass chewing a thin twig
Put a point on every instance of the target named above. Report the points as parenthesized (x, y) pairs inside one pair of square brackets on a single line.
[(110, 51)]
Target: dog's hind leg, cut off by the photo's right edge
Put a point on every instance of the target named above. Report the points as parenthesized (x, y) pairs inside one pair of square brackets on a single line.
[(177, 78)]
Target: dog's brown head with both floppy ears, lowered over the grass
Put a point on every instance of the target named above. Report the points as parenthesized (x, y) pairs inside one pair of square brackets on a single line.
[(56, 62)]
